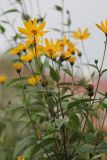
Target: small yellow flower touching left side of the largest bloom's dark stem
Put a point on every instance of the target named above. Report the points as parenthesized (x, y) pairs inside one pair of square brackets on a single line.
[(27, 57)]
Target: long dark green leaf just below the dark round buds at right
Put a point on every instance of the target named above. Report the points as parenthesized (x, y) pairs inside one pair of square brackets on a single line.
[(78, 102)]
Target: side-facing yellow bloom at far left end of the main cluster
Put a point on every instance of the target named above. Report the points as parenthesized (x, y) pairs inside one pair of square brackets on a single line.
[(18, 49)]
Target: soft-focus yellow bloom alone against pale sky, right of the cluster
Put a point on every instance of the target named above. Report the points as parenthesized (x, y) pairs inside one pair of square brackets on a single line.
[(81, 35)]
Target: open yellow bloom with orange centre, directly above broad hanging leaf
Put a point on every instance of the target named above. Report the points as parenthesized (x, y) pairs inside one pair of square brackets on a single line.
[(51, 49)]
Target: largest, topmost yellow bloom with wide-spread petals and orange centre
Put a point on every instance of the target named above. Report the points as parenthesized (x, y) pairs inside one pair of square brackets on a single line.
[(33, 29)]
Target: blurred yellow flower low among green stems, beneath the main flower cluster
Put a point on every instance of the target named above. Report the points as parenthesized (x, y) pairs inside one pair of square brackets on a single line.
[(33, 80)]
